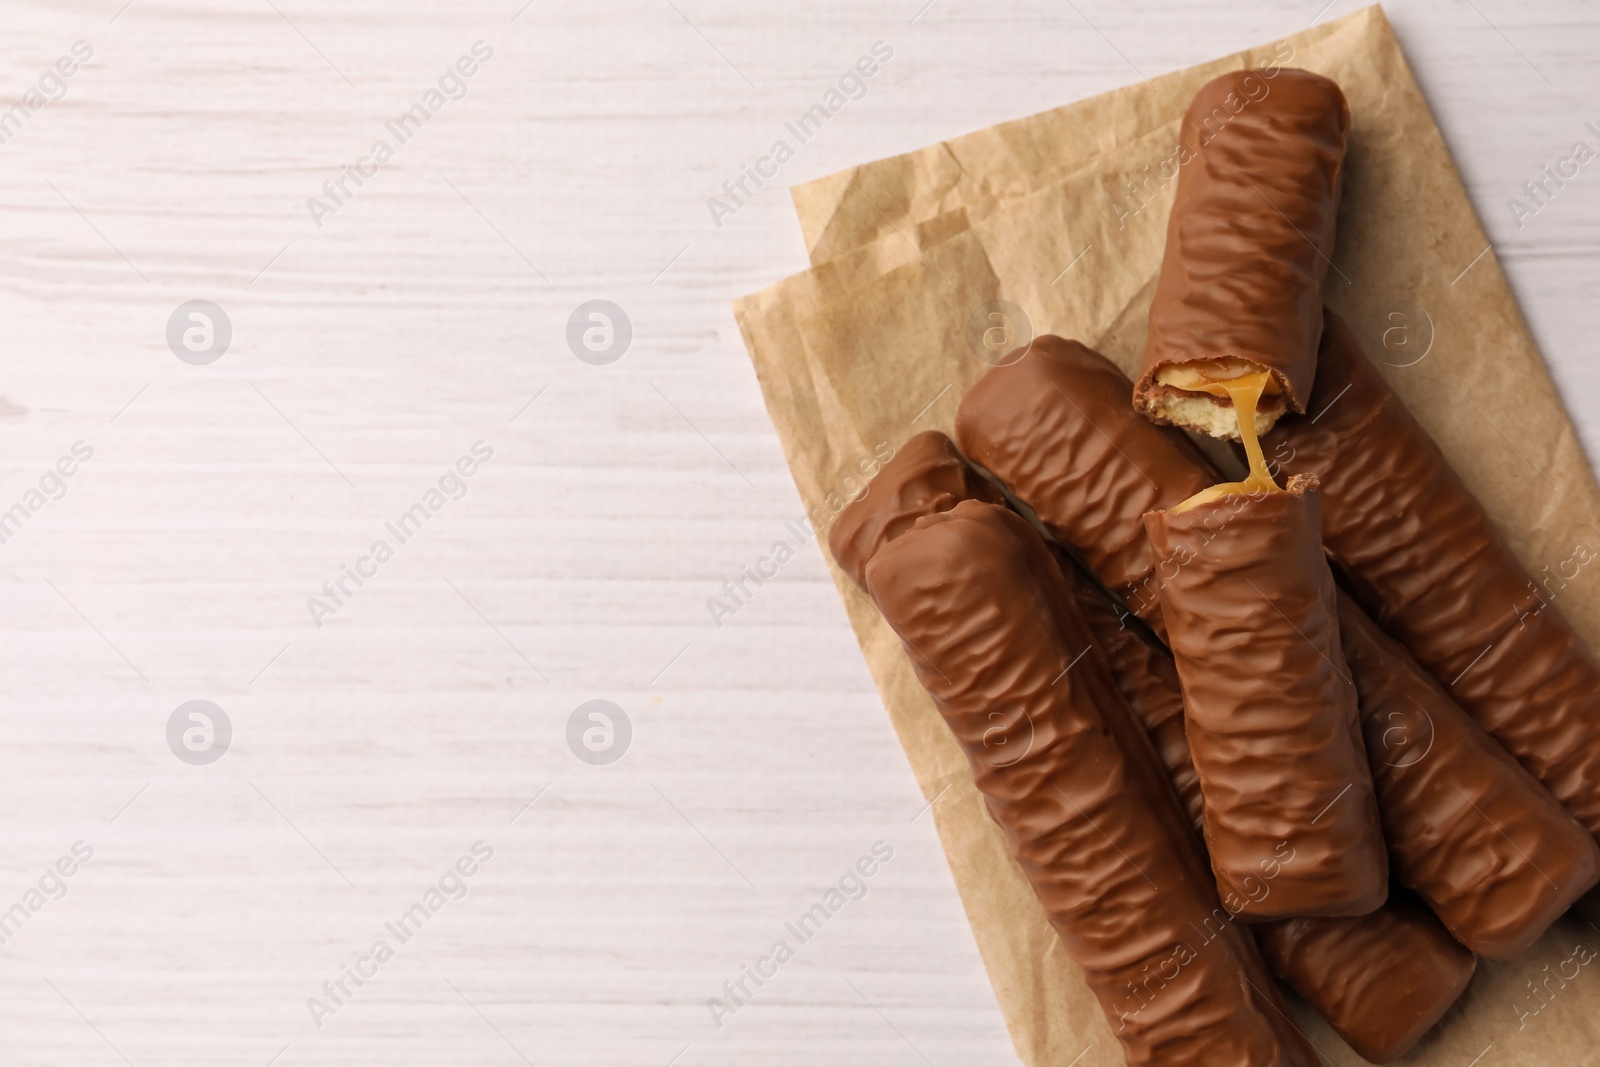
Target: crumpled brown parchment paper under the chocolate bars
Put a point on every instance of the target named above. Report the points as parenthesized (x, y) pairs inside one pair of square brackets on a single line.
[(871, 346)]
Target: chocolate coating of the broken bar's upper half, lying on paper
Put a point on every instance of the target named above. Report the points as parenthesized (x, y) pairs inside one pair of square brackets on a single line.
[(1252, 230)]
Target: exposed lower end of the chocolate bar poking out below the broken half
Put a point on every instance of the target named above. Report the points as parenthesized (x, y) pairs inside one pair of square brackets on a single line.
[(1380, 1010)]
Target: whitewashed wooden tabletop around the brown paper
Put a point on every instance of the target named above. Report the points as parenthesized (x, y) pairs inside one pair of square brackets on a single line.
[(430, 711)]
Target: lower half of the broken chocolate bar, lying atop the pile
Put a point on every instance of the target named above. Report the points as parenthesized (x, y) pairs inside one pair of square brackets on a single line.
[(1252, 618)]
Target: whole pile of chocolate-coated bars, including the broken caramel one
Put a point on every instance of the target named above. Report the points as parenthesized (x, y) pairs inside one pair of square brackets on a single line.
[(1313, 725)]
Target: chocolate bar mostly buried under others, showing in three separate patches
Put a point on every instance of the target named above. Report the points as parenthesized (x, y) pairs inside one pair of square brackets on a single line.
[(1334, 964)]
